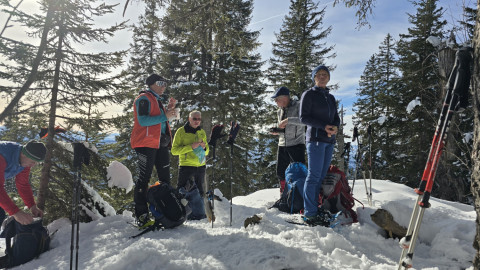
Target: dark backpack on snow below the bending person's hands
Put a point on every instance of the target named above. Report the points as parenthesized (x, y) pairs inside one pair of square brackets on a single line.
[(23, 242)]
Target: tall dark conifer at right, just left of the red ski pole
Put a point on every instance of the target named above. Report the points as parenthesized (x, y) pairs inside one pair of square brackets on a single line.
[(418, 66)]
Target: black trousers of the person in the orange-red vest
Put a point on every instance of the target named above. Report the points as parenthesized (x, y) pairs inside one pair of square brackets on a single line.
[(147, 158)]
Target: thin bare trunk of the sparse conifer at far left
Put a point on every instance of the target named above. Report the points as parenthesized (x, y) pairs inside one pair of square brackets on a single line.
[(47, 165)]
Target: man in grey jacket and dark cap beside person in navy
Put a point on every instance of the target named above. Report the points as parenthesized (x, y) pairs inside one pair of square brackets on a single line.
[(291, 133)]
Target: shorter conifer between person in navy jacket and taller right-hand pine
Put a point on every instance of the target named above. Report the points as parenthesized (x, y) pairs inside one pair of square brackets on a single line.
[(375, 106)]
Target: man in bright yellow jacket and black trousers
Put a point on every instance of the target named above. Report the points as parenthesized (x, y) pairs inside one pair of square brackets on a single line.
[(190, 144)]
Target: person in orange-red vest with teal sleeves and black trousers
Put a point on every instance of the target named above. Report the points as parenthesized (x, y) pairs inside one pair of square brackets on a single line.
[(151, 138)]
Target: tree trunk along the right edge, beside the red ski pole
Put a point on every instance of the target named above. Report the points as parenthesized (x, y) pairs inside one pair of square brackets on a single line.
[(476, 139)]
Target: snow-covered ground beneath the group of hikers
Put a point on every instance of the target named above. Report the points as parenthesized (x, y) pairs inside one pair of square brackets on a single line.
[(445, 239)]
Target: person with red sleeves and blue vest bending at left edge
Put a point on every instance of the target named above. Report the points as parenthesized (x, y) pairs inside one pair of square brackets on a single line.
[(15, 162)]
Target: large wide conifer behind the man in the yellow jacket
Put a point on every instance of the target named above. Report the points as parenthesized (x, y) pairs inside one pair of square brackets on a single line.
[(208, 53)]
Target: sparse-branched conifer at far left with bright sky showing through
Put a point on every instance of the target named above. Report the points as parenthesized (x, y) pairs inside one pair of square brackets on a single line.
[(74, 82)]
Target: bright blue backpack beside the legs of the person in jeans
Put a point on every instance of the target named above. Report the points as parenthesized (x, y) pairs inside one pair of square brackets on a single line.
[(291, 200)]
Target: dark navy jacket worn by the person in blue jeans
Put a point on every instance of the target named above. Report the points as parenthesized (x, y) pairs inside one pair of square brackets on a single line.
[(318, 108)]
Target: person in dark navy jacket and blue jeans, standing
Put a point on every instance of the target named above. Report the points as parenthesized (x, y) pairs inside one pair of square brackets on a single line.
[(318, 111)]
